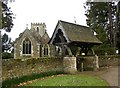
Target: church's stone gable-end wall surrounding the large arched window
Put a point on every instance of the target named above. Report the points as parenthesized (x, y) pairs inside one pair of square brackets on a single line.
[(18, 46)]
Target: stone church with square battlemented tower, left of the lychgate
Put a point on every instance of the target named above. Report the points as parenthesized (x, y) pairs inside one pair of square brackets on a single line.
[(32, 43)]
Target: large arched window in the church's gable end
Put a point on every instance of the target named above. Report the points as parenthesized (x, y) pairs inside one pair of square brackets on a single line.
[(26, 46)]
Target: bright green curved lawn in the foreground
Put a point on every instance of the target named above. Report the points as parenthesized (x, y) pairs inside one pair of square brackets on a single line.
[(69, 80)]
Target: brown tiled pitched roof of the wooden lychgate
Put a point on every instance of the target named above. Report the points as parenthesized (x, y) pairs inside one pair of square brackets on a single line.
[(77, 33)]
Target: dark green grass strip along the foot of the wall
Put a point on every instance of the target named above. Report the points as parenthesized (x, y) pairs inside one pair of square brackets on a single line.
[(10, 83)]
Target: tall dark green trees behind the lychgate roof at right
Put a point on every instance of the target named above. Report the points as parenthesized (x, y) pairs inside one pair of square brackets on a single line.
[(101, 17)]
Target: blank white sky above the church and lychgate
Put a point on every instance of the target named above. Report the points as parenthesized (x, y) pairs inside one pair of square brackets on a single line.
[(45, 11)]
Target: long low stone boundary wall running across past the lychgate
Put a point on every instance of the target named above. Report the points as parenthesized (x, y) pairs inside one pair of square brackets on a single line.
[(12, 68)]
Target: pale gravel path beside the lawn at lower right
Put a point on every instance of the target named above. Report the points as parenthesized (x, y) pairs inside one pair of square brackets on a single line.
[(111, 75)]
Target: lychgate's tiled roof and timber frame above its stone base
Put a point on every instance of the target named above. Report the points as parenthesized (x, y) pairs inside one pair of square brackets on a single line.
[(67, 35)]
